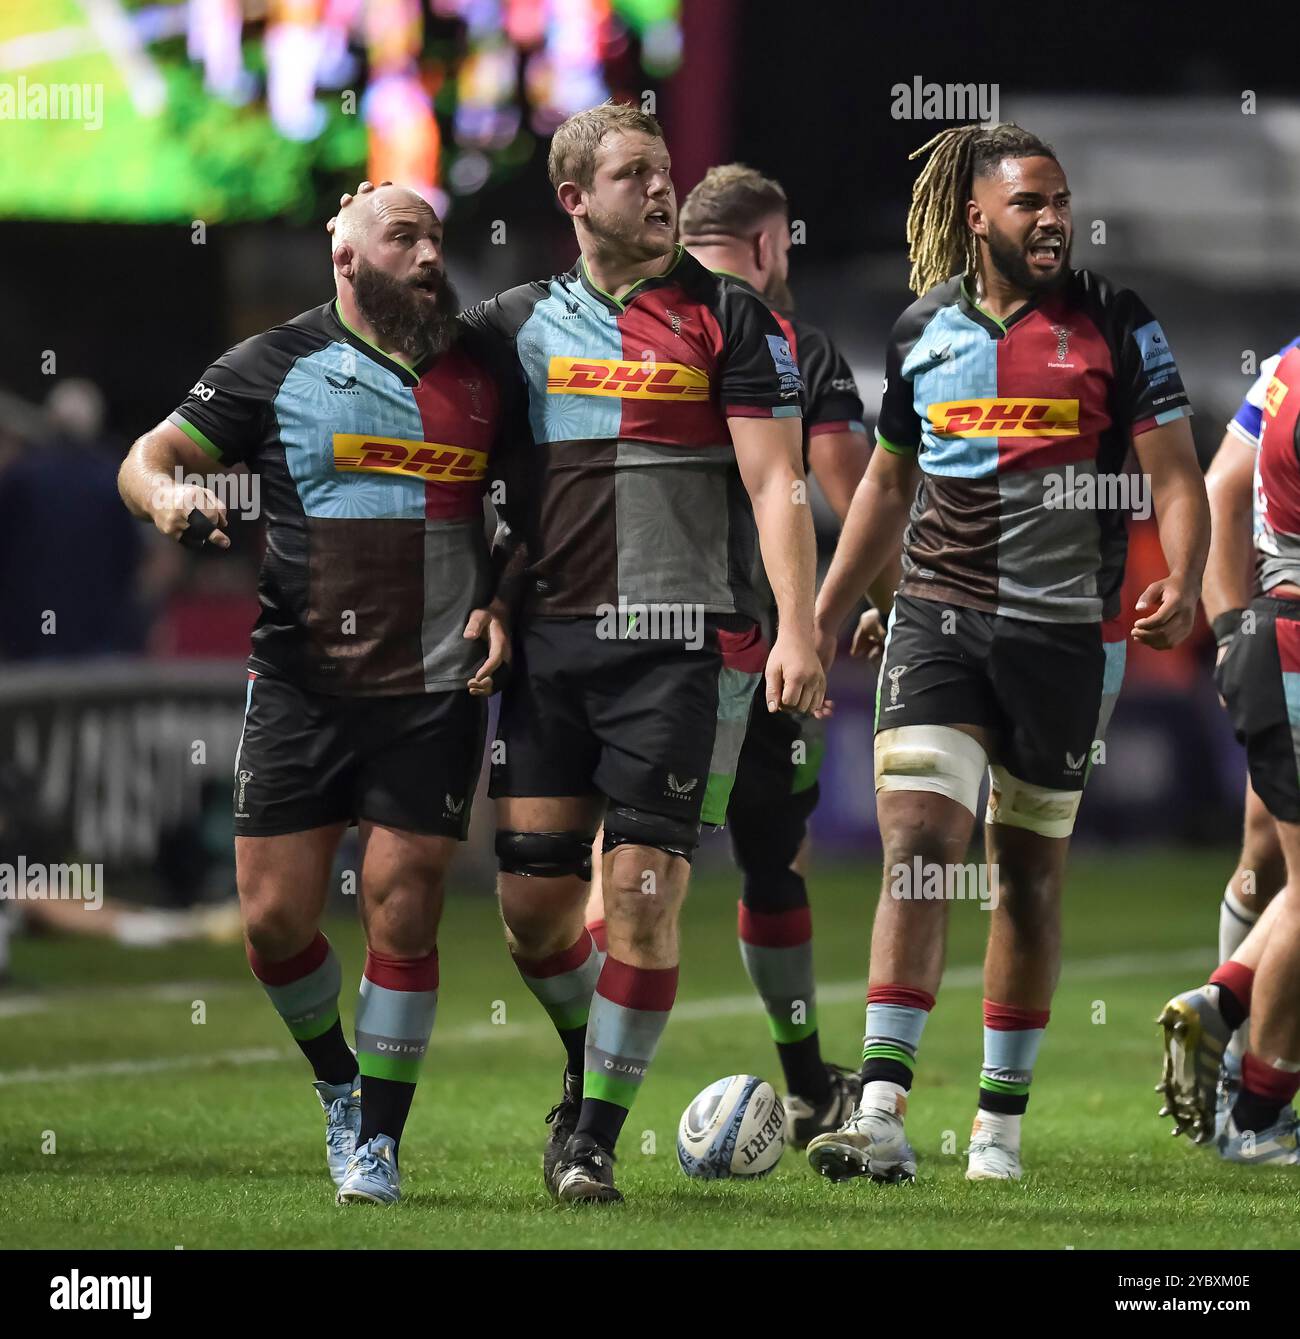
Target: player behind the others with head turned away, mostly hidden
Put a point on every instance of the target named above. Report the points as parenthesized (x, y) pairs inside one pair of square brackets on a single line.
[(737, 224)]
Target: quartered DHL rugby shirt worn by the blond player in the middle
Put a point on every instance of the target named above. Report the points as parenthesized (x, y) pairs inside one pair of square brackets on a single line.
[(634, 489)]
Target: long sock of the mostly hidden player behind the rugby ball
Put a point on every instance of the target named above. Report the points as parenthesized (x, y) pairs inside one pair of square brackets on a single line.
[(777, 951)]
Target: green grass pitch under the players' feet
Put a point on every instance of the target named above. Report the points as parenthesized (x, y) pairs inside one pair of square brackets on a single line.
[(168, 1132)]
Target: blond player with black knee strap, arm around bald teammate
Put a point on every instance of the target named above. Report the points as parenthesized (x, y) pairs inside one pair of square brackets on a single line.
[(666, 406)]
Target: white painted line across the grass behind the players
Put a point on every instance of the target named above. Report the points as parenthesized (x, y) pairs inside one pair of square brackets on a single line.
[(692, 1012)]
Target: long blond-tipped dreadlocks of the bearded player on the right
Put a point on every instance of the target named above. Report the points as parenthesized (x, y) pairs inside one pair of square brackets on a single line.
[(939, 242)]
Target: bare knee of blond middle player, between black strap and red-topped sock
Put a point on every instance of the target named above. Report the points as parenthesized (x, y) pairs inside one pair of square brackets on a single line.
[(645, 890)]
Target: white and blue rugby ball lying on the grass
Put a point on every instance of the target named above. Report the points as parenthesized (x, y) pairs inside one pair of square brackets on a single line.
[(737, 1127)]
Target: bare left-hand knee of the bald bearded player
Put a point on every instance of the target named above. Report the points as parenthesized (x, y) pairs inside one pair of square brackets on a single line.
[(283, 884)]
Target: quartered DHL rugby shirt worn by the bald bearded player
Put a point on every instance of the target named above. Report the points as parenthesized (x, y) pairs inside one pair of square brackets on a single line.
[(373, 476)]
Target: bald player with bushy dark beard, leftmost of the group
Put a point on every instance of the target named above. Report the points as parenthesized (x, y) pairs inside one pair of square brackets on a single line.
[(373, 422)]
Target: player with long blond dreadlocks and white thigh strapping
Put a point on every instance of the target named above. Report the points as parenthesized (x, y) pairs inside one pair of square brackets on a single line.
[(1010, 369)]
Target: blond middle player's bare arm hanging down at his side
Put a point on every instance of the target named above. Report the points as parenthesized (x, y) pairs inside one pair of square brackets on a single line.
[(769, 453)]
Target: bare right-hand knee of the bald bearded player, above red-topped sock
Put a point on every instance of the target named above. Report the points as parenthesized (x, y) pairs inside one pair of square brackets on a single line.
[(402, 890)]
